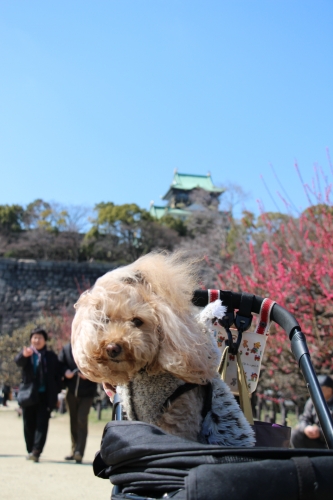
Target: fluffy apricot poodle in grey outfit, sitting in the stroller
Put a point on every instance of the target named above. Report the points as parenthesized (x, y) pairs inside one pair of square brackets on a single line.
[(137, 330)]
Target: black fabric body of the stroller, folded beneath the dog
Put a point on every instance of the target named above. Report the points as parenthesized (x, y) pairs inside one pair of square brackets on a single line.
[(146, 462)]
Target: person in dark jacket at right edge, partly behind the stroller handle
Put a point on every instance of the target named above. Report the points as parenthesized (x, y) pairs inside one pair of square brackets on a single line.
[(308, 433)]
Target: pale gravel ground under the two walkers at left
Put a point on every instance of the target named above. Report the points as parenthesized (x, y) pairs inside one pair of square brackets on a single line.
[(52, 478)]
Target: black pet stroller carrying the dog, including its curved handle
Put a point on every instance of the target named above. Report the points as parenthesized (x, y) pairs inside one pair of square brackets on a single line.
[(143, 462)]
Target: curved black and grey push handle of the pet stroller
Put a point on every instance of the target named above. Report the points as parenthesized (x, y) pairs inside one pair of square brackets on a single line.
[(298, 346)]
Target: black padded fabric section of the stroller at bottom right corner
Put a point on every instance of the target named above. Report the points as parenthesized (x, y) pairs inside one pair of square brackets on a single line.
[(296, 478)]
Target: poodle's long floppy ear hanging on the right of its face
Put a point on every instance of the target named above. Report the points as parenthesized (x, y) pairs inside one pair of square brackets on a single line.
[(185, 350)]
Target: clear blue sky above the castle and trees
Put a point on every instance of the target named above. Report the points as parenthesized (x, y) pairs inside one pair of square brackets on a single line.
[(101, 100)]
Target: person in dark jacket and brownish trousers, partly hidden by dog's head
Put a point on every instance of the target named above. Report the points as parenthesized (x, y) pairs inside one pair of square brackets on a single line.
[(79, 398)]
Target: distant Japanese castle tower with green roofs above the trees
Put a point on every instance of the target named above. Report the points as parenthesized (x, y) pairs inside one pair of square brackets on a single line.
[(188, 193)]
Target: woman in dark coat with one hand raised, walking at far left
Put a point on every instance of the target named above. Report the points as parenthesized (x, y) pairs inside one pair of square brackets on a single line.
[(41, 366)]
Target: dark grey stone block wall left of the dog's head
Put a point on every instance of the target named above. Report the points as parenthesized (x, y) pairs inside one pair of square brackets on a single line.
[(29, 287)]
